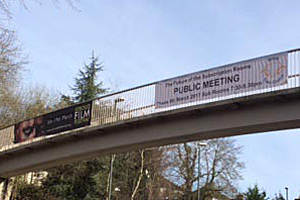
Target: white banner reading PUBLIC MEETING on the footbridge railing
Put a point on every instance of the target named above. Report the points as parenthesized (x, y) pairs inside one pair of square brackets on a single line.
[(246, 76)]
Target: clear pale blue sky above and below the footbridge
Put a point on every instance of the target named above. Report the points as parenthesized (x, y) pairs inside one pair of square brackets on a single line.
[(142, 41)]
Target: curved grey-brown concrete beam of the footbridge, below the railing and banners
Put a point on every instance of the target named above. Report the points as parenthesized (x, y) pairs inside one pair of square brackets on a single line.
[(252, 114)]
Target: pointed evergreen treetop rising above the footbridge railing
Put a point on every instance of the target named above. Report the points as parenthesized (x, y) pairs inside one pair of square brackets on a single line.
[(86, 86)]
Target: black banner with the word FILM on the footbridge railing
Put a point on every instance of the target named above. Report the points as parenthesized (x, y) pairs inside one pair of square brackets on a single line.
[(55, 122)]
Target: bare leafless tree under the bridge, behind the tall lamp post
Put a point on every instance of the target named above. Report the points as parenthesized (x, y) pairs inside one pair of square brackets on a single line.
[(220, 167)]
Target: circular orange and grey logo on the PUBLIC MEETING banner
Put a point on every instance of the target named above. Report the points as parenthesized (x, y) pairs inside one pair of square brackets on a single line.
[(274, 72)]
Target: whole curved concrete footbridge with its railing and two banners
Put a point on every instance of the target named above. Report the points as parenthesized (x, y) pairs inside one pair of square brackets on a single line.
[(257, 95)]
